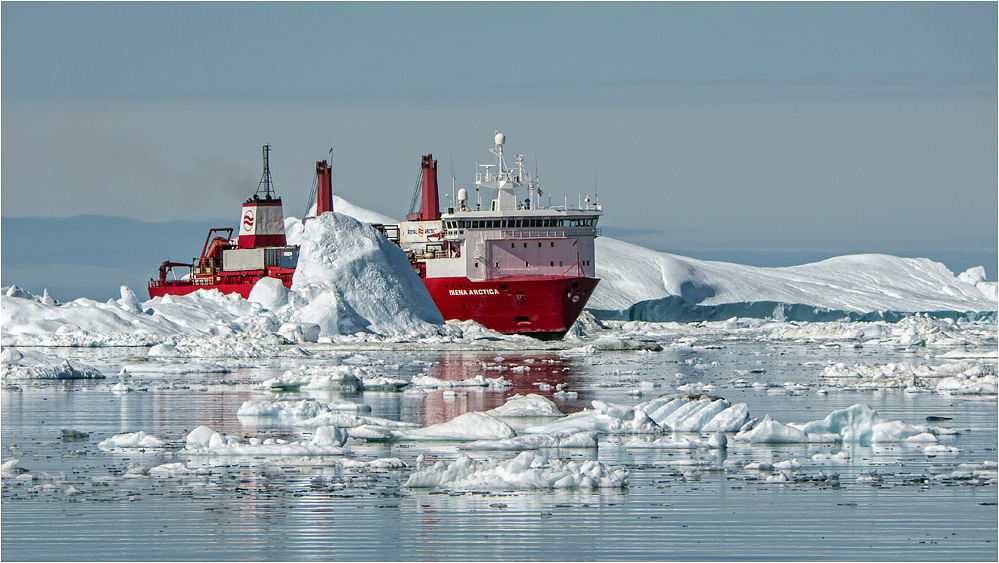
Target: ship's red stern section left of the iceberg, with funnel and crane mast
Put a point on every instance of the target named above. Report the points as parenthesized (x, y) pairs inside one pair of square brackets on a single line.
[(260, 251)]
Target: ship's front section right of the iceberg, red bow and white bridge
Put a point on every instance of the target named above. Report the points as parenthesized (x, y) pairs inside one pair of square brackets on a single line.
[(515, 267)]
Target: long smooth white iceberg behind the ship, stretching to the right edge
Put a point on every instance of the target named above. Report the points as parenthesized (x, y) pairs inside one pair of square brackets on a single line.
[(861, 283)]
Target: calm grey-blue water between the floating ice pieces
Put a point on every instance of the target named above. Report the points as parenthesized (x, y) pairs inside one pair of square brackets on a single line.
[(696, 505)]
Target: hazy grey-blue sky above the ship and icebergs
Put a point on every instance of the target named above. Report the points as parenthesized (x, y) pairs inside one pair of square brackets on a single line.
[(707, 129)]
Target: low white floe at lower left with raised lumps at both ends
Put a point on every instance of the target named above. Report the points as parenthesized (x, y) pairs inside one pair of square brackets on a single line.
[(326, 440)]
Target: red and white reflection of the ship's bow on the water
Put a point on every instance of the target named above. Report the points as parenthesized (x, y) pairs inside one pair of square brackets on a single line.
[(542, 374)]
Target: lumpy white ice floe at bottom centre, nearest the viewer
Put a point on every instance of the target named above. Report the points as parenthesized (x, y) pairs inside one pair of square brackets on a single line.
[(527, 471)]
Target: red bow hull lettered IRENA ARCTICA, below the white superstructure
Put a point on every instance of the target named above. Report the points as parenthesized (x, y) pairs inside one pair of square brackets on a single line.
[(540, 306)]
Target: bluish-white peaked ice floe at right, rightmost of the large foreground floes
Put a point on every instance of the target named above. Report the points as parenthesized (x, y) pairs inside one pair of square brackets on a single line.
[(858, 423)]
